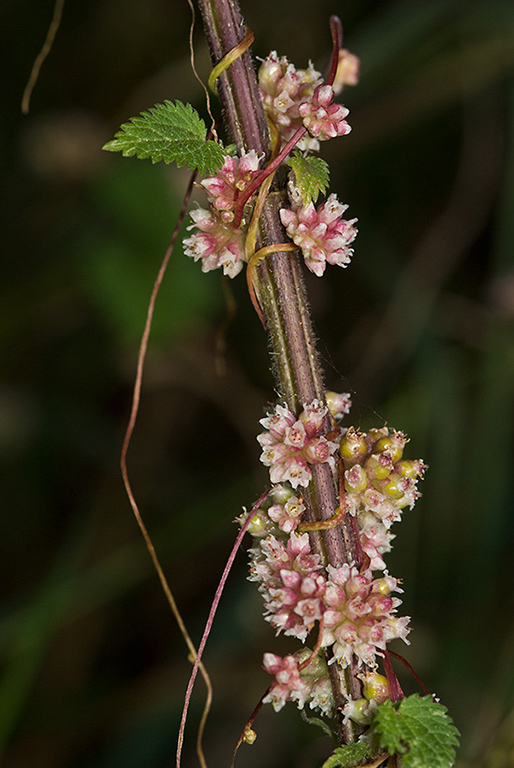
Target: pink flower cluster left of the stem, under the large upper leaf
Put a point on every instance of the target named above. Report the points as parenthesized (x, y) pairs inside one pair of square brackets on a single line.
[(215, 241)]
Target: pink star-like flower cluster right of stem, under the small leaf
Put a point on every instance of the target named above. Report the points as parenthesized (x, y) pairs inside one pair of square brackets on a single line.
[(322, 234)]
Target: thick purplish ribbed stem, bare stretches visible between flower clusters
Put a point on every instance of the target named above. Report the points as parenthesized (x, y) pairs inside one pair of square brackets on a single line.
[(279, 285)]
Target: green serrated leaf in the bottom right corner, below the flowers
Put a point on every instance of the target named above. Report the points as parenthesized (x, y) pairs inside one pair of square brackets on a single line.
[(419, 729)]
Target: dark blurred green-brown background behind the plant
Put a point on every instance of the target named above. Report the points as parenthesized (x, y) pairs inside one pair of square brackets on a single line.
[(419, 329)]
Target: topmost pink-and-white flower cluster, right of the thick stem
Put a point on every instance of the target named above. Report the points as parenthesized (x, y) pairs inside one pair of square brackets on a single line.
[(295, 97)]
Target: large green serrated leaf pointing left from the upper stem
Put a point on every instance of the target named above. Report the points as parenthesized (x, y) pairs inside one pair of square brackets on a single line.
[(173, 132)]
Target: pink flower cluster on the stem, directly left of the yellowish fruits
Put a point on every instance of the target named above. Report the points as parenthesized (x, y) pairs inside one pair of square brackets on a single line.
[(290, 445)]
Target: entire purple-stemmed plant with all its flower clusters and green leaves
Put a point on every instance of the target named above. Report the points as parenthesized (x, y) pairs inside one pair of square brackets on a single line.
[(321, 534)]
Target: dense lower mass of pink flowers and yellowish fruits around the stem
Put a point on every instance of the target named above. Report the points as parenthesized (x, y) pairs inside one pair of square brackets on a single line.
[(354, 608)]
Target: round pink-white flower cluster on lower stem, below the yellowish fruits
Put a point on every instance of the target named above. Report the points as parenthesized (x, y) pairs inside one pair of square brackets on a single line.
[(360, 614)]
